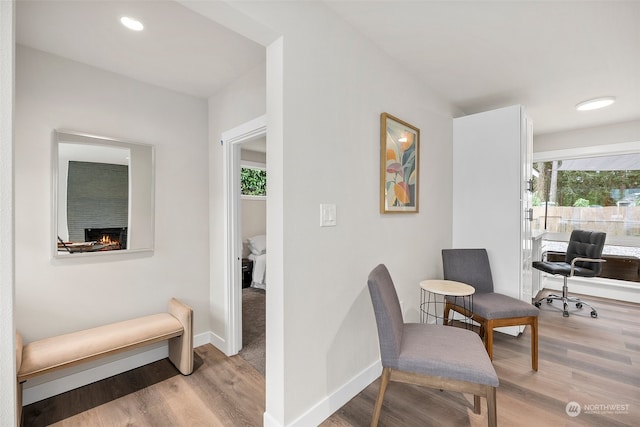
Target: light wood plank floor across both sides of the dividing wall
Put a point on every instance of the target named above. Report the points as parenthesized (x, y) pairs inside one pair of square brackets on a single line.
[(593, 362)]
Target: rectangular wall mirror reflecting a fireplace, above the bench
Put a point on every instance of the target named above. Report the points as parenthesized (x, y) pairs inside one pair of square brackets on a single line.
[(103, 195)]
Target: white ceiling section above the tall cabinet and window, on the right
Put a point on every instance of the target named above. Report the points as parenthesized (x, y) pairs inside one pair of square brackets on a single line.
[(545, 55)]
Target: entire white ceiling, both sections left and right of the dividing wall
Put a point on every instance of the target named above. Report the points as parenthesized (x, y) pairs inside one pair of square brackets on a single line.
[(545, 55)]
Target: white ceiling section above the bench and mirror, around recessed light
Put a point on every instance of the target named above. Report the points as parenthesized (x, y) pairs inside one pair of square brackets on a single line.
[(178, 48)]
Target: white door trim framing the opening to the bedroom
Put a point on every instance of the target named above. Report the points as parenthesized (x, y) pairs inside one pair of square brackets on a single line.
[(231, 141)]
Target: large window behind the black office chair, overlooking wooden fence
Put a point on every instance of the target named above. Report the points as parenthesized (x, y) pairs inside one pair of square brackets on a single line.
[(594, 188)]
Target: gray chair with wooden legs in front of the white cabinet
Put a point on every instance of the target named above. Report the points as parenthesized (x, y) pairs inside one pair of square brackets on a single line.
[(490, 309)]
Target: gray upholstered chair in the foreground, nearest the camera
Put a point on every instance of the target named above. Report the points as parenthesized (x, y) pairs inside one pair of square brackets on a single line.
[(435, 356)]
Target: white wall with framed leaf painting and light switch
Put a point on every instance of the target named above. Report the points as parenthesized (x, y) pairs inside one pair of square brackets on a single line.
[(336, 84)]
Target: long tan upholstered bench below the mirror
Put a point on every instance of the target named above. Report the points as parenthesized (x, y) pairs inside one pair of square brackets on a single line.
[(55, 353)]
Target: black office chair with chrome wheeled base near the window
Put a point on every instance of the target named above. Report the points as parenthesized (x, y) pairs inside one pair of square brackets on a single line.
[(583, 258)]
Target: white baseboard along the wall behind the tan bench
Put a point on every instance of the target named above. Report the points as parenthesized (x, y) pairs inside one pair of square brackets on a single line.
[(59, 382)]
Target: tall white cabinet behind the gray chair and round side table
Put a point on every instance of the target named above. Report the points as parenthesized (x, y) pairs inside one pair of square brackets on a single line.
[(491, 194)]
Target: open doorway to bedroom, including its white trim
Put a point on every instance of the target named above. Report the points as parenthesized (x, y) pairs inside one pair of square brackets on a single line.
[(245, 236)]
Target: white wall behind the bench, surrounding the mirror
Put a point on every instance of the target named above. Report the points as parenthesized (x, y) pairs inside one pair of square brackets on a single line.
[(52, 296)]
